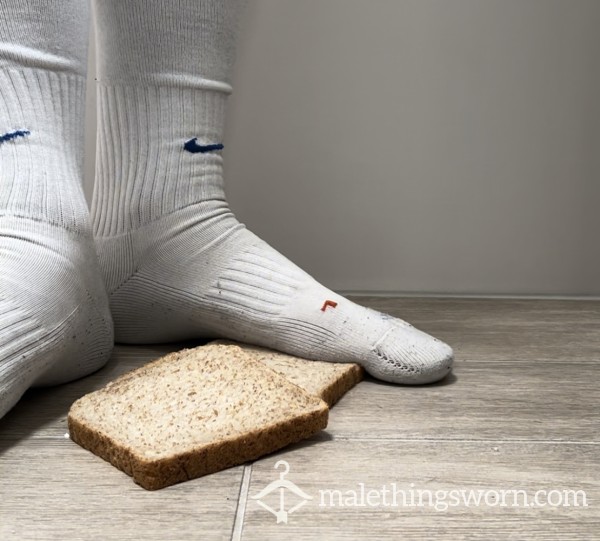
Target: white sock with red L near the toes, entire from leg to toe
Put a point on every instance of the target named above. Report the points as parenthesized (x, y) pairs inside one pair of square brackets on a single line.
[(177, 263)]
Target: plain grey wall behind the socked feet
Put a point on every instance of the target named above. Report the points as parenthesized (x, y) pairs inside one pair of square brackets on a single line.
[(433, 146)]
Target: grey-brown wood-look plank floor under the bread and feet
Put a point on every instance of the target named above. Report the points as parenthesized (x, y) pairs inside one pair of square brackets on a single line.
[(521, 411)]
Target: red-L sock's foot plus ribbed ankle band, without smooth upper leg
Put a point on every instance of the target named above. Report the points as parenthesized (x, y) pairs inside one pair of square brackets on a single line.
[(178, 265)]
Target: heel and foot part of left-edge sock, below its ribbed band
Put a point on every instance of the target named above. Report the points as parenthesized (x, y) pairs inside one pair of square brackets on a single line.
[(55, 324)]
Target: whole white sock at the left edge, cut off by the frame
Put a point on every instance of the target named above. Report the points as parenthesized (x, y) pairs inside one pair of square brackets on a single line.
[(55, 322)]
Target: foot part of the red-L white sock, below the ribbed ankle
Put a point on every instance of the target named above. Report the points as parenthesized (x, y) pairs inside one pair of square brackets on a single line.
[(199, 273)]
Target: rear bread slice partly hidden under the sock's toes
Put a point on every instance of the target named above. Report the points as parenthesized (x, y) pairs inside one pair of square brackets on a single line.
[(329, 381)]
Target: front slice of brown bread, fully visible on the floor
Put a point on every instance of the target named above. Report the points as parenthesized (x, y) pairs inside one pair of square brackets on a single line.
[(193, 412)]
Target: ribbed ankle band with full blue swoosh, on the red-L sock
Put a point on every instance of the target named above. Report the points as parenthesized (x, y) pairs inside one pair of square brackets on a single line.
[(143, 169)]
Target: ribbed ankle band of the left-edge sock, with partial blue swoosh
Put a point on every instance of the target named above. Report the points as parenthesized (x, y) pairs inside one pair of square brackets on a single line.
[(41, 146)]
